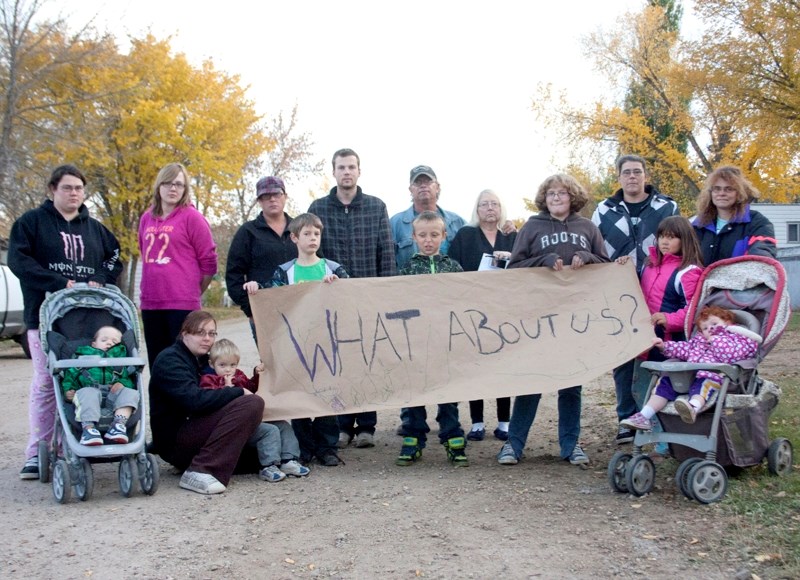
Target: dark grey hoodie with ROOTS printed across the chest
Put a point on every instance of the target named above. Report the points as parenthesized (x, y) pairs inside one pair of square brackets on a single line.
[(543, 239)]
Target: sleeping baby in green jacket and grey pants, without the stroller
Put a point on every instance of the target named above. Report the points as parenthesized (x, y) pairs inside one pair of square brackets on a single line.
[(81, 386)]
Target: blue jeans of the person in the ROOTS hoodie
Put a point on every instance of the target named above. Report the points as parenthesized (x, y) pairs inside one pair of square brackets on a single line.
[(569, 420)]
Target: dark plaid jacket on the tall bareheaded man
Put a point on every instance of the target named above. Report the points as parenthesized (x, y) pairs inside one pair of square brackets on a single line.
[(358, 235)]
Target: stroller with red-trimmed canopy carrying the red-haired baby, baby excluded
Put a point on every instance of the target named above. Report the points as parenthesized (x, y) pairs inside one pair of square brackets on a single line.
[(733, 433)]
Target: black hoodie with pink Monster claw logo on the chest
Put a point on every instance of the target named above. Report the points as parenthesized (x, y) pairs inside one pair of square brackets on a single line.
[(45, 251)]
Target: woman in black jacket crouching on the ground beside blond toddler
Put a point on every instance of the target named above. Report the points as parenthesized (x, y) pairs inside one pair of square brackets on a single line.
[(201, 431)]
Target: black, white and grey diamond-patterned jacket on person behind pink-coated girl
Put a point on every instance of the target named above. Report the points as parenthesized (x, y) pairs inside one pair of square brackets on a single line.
[(621, 237)]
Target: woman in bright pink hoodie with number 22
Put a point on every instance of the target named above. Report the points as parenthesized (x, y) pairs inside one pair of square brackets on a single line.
[(178, 257)]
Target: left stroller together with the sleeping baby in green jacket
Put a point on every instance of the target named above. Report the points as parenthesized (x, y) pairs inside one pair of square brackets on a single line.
[(105, 383)]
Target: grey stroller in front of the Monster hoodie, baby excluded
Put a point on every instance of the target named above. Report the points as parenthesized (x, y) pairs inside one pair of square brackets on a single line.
[(69, 318)]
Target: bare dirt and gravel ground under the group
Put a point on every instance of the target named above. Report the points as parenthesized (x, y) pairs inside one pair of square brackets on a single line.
[(542, 518)]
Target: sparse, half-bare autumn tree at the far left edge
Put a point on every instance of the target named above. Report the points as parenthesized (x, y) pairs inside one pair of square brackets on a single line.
[(35, 92)]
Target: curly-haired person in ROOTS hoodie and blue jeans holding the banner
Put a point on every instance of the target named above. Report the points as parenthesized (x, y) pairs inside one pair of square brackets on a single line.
[(556, 238)]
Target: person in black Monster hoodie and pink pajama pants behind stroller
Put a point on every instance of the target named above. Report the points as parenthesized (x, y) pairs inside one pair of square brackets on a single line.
[(51, 248)]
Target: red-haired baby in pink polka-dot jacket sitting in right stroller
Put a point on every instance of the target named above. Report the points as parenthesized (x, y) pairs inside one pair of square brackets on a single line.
[(719, 340)]
